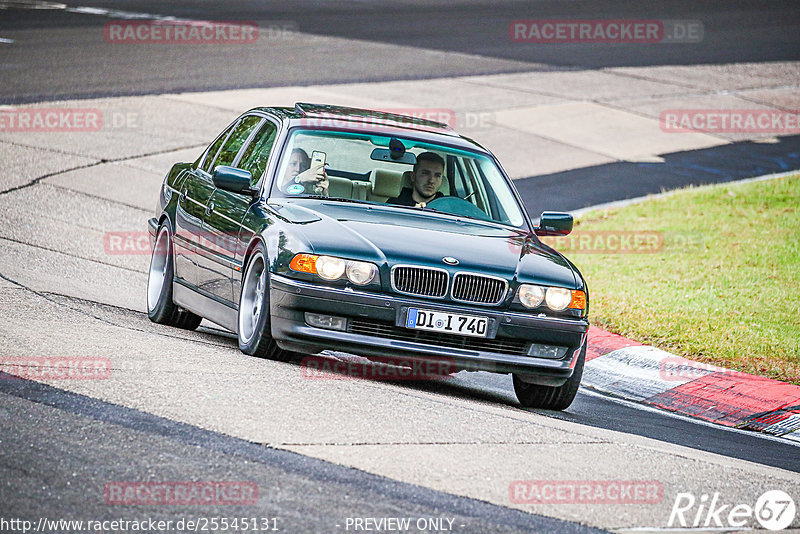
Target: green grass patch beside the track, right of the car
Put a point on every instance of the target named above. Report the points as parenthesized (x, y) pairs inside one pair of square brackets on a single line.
[(724, 289)]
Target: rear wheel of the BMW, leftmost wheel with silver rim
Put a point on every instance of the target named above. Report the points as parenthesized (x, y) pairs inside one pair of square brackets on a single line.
[(160, 307)]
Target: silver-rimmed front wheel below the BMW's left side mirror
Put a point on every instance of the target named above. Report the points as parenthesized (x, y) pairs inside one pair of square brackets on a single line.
[(253, 321)]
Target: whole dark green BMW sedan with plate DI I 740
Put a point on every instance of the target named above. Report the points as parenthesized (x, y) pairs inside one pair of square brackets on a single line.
[(320, 228)]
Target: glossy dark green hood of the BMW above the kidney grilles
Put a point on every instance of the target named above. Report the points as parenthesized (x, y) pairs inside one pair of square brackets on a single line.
[(392, 236)]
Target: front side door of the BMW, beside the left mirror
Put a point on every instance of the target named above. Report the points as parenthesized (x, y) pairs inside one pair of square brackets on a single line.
[(221, 216)]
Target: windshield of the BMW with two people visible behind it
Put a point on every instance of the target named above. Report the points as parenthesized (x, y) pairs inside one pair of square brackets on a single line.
[(381, 169)]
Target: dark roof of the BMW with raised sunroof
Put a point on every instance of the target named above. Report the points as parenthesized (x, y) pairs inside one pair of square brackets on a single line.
[(329, 117)]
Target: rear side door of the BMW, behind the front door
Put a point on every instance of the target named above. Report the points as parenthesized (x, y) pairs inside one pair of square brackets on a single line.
[(195, 191)]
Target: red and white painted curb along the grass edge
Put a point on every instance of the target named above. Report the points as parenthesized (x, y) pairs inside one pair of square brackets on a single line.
[(625, 368)]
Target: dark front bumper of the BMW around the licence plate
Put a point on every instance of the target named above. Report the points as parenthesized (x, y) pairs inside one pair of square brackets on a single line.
[(290, 299)]
